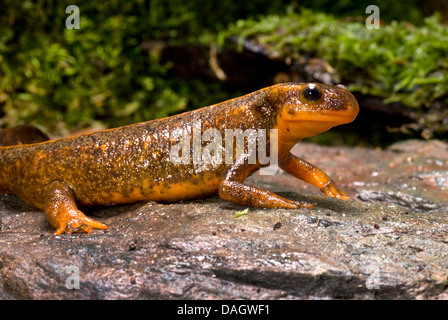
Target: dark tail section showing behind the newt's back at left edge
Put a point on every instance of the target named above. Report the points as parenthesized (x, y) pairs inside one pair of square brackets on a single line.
[(21, 134)]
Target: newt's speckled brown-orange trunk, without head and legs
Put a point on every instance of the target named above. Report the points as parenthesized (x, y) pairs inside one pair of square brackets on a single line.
[(127, 164)]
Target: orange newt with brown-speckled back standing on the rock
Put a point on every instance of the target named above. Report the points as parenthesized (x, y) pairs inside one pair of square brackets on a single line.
[(134, 163)]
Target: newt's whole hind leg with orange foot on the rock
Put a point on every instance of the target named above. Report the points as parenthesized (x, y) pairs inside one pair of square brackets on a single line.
[(62, 212)]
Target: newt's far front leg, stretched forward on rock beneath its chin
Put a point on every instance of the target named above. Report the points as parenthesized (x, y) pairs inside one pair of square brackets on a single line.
[(309, 173)]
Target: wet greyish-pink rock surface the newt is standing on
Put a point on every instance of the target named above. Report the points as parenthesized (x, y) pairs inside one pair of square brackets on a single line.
[(389, 242)]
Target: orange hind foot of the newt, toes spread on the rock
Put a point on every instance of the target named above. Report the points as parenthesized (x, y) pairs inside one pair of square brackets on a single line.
[(76, 221)]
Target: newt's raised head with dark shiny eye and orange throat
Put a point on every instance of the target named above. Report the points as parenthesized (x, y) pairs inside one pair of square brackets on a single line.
[(311, 108)]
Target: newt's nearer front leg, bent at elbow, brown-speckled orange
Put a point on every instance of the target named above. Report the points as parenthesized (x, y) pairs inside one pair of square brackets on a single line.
[(233, 189)]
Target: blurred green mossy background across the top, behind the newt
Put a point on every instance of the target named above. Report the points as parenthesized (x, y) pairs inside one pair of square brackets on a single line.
[(111, 71)]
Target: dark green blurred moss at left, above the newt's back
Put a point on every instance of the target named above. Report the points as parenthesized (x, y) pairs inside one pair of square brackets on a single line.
[(110, 70)]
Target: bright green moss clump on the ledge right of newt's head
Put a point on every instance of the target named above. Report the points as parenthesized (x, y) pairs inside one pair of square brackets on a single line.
[(399, 63)]
